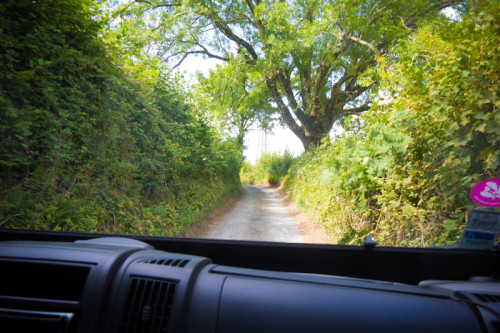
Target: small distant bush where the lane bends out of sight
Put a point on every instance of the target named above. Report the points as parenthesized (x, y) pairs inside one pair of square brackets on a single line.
[(270, 169)]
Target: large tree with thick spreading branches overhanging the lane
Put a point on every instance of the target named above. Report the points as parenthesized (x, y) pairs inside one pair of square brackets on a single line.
[(315, 57)]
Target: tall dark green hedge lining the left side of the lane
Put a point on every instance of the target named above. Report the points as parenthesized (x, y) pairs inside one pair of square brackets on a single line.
[(88, 143)]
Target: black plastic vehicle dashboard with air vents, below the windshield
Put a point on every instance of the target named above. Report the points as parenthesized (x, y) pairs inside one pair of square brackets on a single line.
[(125, 285)]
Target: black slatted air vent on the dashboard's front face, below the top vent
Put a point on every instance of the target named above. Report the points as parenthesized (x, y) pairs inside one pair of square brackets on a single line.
[(148, 306)]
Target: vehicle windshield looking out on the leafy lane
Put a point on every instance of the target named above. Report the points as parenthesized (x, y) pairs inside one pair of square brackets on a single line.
[(290, 121)]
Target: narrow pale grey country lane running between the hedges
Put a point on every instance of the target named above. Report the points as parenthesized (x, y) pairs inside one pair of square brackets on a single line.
[(259, 216)]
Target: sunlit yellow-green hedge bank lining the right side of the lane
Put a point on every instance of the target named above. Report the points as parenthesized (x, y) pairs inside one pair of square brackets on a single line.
[(405, 175)]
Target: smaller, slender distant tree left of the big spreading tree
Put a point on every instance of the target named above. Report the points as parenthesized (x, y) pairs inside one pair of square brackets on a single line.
[(235, 101)]
